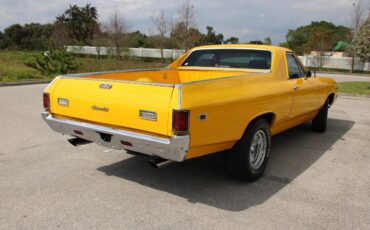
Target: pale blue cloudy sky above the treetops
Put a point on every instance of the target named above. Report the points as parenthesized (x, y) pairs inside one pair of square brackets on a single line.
[(246, 19)]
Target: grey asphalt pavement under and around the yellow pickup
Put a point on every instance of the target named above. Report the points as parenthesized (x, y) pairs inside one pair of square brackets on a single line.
[(313, 181)]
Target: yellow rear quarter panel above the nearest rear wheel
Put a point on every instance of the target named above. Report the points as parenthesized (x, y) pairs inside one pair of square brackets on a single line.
[(230, 105)]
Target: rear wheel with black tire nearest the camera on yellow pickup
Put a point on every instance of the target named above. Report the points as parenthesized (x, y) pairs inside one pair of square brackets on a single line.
[(248, 159)]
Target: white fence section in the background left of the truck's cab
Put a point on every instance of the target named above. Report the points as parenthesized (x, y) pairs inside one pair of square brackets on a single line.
[(132, 52)]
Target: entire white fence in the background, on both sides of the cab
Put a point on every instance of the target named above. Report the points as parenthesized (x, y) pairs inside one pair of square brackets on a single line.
[(309, 61)]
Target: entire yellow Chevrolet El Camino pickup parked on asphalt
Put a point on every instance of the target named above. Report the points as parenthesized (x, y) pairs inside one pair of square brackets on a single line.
[(230, 98)]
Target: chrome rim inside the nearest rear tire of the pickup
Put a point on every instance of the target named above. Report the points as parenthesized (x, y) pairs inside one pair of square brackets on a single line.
[(257, 151)]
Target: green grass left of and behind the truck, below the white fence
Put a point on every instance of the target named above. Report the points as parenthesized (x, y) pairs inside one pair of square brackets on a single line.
[(12, 67)]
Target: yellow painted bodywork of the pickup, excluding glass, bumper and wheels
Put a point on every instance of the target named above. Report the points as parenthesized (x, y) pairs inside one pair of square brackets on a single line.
[(230, 103)]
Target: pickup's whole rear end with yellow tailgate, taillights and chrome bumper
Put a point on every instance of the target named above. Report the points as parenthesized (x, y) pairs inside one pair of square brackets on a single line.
[(138, 116)]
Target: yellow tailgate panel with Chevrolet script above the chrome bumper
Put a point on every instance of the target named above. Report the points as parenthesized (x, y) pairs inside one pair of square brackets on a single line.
[(113, 103)]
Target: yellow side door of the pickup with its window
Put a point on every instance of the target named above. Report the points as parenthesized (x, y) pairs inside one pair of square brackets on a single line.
[(305, 89)]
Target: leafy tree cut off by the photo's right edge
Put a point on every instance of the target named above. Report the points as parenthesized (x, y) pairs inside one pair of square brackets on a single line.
[(362, 41)]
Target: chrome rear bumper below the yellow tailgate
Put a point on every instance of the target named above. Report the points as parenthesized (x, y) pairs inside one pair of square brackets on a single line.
[(173, 148)]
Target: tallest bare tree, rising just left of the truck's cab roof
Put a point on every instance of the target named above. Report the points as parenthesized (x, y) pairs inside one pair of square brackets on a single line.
[(185, 21)]
